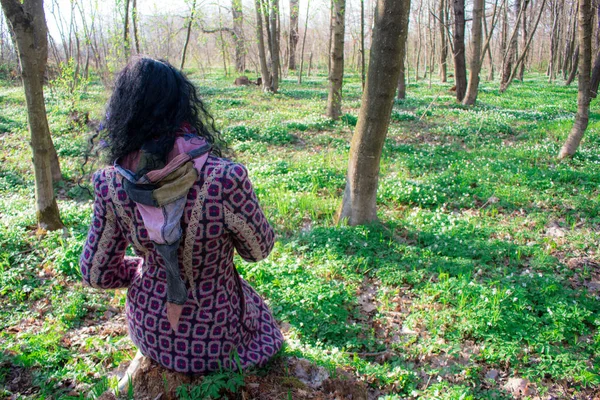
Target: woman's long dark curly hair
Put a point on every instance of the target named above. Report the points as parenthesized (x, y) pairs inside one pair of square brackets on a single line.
[(151, 100)]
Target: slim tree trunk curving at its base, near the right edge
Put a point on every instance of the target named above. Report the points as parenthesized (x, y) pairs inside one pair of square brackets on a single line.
[(585, 65)]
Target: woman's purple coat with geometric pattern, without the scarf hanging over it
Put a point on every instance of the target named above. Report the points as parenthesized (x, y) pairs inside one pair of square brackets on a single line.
[(221, 213)]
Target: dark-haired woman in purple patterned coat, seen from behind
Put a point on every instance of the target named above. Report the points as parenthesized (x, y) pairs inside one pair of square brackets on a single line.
[(183, 209)]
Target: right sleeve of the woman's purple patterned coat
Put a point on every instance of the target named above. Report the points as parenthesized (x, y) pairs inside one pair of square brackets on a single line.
[(252, 235)]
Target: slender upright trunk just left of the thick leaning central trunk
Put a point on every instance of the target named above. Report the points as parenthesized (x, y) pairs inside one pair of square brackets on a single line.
[(336, 76)]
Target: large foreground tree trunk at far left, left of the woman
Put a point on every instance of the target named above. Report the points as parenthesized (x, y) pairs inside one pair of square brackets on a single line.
[(29, 27)]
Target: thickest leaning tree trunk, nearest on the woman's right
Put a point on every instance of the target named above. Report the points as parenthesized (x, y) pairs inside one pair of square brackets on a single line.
[(359, 202)]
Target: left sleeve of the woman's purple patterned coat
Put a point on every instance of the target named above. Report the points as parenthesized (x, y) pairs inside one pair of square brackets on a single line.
[(103, 262)]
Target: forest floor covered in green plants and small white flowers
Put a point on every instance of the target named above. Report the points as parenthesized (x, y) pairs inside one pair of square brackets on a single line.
[(481, 281)]
